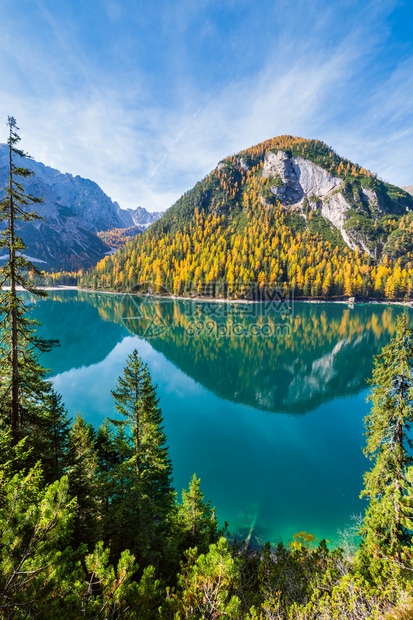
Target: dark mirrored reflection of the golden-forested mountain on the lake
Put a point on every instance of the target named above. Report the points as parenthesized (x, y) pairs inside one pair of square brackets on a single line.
[(313, 354)]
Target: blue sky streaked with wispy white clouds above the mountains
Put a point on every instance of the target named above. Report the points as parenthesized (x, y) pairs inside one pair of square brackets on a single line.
[(145, 97)]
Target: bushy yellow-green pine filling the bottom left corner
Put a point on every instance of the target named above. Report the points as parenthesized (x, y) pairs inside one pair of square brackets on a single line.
[(37, 570)]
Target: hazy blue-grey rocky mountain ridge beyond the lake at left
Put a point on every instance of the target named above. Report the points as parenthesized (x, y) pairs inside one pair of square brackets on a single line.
[(75, 210)]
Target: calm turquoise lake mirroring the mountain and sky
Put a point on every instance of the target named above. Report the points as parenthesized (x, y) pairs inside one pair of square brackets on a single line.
[(265, 405)]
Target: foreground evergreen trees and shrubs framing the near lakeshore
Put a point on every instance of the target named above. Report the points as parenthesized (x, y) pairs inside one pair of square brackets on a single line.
[(91, 526)]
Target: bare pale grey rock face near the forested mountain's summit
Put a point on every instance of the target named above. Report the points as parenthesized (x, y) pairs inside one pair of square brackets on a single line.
[(301, 184)]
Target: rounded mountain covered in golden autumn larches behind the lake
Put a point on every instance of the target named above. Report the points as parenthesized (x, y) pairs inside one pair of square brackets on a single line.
[(289, 212)]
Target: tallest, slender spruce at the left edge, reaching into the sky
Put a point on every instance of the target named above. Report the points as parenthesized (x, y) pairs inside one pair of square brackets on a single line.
[(22, 377)]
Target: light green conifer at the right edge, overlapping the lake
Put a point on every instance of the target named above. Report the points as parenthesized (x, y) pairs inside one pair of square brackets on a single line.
[(388, 523)]
